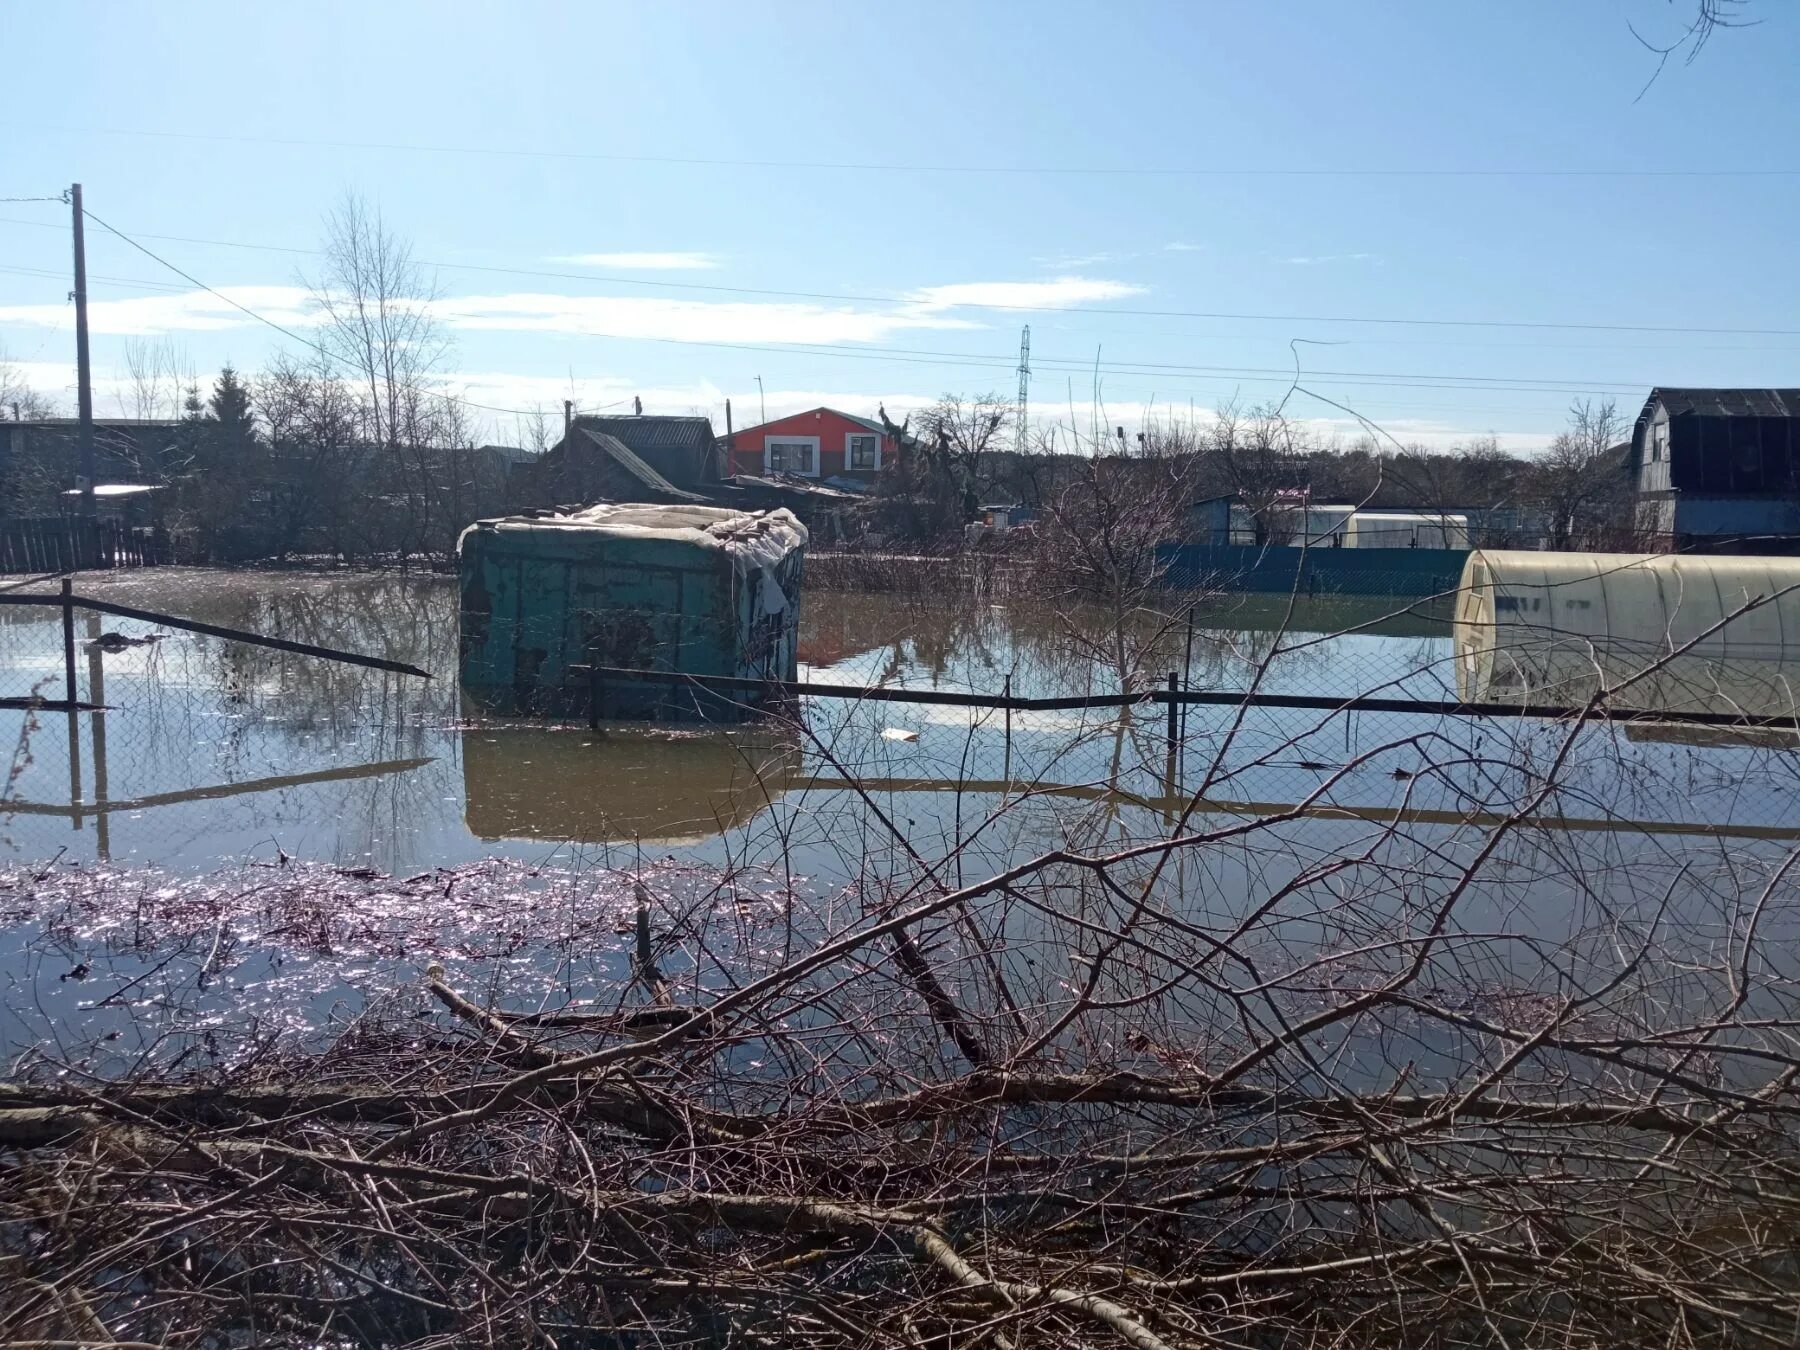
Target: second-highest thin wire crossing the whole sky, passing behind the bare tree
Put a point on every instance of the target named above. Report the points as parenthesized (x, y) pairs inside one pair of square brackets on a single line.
[(926, 301)]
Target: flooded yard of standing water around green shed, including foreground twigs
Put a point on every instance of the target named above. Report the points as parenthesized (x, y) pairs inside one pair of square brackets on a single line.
[(258, 876)]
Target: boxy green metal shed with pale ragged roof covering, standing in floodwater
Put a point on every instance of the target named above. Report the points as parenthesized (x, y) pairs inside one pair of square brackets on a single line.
[(552, 598)]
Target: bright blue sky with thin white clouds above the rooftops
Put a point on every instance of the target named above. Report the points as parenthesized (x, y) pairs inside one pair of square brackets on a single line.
[(865, 204)]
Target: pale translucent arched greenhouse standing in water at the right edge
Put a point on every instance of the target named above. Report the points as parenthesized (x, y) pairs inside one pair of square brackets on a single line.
[(1662, 633)]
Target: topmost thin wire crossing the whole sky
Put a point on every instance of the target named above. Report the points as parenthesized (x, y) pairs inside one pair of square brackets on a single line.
[(856, 166)]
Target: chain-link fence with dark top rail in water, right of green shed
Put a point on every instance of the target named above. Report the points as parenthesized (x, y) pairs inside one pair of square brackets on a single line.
[(1371, 759)]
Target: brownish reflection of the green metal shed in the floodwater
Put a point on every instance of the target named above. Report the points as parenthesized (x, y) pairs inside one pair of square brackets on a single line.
[(620, 786)]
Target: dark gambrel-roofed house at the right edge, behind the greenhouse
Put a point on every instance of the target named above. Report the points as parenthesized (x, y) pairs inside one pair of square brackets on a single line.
[(1718, 471)]
